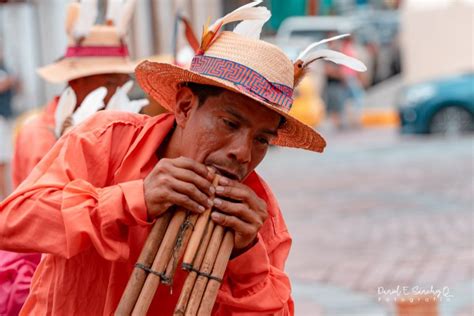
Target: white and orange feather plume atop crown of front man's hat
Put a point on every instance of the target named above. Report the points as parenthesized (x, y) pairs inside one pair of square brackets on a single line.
[(252, 18)]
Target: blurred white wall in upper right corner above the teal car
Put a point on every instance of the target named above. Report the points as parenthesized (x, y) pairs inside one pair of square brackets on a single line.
[(437, 40)]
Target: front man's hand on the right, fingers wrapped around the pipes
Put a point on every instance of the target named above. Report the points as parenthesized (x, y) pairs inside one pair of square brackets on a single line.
[(245, 214)]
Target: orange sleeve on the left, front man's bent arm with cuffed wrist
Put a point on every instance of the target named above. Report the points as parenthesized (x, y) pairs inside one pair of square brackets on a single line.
[(65, 206)]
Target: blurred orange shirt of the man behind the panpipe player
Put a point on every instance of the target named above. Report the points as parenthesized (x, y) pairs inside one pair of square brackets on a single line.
[(35, 138)]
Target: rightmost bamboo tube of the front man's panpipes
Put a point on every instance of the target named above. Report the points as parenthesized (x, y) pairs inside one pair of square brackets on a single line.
[(218, 271)]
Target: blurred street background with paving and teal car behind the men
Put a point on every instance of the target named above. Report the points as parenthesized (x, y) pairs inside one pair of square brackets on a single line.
[(385, 215)]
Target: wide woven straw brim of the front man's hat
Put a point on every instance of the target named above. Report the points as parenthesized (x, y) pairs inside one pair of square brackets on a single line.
[(161, 81)]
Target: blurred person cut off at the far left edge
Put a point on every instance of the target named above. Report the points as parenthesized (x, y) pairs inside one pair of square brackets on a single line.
[(7, 87)]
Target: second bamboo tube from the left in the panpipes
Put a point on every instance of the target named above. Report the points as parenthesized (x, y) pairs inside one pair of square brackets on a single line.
[(159, 264)]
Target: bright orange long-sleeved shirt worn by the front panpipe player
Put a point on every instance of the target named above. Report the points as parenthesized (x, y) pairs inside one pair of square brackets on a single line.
[(83, 205)]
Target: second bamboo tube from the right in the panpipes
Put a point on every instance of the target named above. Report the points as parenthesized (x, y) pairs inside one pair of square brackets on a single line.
[(206, 268)]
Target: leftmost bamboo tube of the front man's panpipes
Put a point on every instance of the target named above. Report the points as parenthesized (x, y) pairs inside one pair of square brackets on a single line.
[(138, 276)]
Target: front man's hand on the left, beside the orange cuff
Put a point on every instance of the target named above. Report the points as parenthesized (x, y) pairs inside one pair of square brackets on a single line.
[(181, 181)]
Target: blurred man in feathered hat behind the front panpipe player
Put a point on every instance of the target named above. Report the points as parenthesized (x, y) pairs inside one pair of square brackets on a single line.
[(97, 70)]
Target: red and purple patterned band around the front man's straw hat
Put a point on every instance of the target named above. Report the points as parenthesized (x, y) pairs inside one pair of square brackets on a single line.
[(245, 79)]
